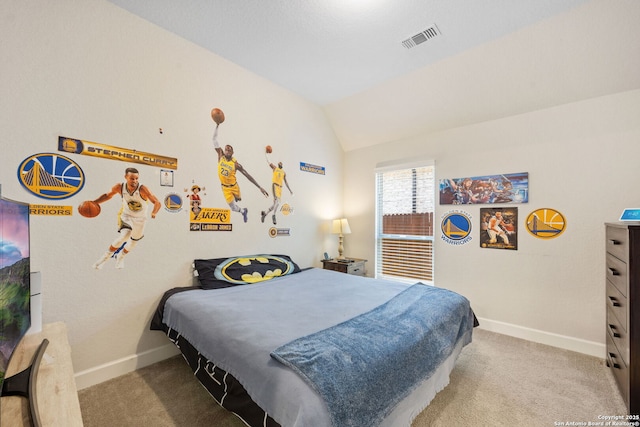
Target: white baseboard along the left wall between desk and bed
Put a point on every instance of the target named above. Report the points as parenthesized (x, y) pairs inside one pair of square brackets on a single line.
[(123, 366)]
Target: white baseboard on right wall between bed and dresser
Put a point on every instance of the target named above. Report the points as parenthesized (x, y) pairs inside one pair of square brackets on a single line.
[(590, 348)]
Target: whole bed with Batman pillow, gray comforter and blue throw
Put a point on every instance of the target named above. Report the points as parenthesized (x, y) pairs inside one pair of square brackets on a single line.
[(282, 346)]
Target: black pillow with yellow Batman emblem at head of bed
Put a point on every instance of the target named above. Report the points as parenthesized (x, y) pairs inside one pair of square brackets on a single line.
[(242, 270)]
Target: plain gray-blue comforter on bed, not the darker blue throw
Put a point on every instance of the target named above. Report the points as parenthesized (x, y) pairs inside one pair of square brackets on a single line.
[(239, 327)]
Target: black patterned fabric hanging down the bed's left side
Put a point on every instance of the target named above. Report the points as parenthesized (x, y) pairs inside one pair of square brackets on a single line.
[(223, 387)]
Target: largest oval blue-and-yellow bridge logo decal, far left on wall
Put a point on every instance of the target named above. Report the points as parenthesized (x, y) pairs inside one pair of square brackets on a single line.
[(51, 176)]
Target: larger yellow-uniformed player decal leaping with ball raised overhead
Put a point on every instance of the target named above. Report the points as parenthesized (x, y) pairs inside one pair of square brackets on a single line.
[(227, 167)]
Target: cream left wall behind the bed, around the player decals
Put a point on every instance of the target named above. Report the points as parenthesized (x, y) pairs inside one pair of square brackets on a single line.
[(90, 70)]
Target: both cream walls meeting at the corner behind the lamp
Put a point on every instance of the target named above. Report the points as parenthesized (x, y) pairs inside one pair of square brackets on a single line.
[(89, 70)]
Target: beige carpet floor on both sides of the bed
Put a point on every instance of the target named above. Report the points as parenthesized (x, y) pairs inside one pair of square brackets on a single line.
[(498, 381)]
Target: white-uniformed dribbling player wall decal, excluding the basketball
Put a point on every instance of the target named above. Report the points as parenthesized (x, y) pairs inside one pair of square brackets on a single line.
[(131, 218)]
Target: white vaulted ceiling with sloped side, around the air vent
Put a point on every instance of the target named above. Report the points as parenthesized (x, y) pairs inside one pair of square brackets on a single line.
[(489, 59)]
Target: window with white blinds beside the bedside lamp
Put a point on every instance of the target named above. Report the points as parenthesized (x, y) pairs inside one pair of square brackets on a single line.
[(404, 223)]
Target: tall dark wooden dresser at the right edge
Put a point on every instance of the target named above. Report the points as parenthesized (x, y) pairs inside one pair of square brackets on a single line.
[(623, 322)]
